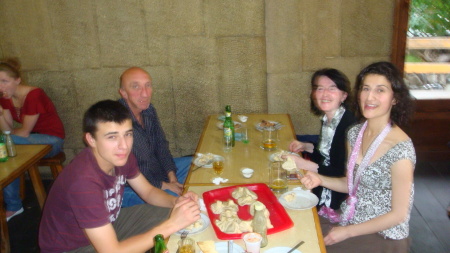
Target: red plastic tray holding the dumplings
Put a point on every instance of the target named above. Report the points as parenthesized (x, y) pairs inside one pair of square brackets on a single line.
[(278, 216)]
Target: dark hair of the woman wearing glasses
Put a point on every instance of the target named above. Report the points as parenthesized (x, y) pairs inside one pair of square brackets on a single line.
[(341, 81)]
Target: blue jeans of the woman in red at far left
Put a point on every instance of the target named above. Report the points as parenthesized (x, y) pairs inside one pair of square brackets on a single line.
[(11, 192)]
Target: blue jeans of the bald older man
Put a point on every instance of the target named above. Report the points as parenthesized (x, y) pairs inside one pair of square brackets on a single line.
[(130, 198)]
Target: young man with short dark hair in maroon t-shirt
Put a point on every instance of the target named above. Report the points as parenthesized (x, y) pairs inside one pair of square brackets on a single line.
[(82, 212)]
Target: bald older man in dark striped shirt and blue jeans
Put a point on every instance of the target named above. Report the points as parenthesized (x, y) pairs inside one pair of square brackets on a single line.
[(150, 145)]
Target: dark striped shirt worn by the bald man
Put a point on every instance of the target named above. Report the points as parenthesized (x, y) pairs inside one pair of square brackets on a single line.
[(151, 147)]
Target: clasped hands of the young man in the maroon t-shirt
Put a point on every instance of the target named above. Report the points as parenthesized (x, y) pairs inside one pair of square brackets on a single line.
[(185, 212)]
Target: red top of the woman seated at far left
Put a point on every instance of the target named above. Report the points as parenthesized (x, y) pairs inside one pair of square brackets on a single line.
[(37, 102)]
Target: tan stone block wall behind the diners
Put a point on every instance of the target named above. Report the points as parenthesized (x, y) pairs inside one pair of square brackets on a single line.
[(256, 55)]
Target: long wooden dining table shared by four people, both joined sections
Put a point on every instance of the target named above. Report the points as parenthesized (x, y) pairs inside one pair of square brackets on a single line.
[(306, 225)]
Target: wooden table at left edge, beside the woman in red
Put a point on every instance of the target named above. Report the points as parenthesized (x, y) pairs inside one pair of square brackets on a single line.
[(26, 160)]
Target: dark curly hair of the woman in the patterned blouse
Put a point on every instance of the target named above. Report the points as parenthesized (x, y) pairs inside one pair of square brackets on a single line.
[(404, 107)]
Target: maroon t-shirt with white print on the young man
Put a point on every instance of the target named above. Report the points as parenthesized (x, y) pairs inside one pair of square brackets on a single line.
[(83, 196)]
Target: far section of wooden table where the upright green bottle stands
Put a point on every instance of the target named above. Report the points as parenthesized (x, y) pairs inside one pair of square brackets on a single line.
[(250, 155)]
